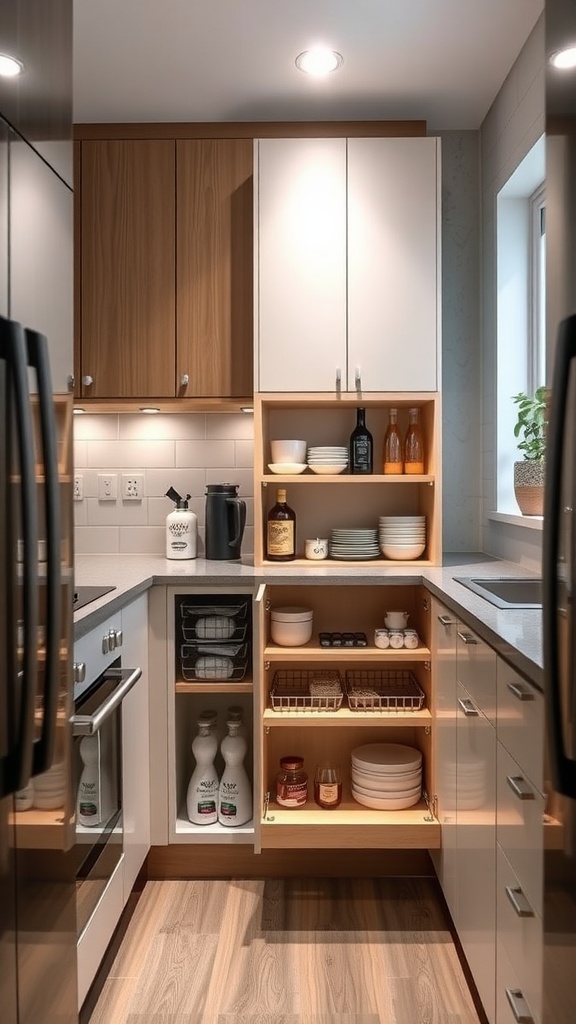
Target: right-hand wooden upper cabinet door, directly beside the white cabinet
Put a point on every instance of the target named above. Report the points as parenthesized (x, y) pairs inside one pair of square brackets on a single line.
[(215, 238)]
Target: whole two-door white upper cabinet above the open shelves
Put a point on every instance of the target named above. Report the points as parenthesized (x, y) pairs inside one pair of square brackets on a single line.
[(347, 269)]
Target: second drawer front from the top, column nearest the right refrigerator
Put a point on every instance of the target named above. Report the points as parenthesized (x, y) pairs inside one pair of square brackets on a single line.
[(519, 826)]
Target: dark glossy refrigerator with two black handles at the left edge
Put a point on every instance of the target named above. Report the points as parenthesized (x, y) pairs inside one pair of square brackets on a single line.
[(37, 885)]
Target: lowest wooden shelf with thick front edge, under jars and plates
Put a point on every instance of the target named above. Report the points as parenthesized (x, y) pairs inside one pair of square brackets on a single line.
[(350, 827)]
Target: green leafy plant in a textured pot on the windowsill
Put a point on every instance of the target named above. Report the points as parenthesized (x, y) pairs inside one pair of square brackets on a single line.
[(529, 475)]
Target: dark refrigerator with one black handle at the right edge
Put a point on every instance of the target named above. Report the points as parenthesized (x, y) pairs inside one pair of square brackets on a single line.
[(559, 557)]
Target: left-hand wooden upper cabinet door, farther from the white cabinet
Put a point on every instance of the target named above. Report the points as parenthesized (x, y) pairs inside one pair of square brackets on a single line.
[(128, 269)]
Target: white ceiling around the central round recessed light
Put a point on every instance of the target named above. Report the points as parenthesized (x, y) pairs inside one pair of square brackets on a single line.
[(442, 61)]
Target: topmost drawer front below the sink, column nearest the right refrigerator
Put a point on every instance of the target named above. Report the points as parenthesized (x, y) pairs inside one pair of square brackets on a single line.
[(521, 721)]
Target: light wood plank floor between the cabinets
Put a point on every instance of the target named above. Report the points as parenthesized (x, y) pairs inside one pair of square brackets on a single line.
[(287, 952)]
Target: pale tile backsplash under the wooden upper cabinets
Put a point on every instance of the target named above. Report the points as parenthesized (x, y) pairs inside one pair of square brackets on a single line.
[(184, 451)]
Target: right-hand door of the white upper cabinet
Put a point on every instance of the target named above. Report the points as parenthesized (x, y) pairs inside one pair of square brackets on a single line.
[(393, 282)]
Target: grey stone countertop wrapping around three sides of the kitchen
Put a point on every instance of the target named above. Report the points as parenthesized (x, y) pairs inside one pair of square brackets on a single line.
[(515, 634)]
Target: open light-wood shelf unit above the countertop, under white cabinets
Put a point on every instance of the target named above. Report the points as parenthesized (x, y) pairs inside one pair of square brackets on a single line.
[(326, 502)]
